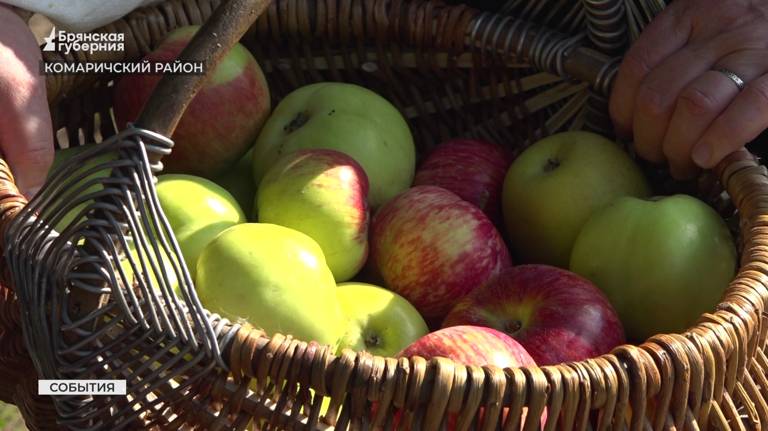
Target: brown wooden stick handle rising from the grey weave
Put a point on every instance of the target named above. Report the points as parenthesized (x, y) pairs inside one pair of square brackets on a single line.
[(173, 93)]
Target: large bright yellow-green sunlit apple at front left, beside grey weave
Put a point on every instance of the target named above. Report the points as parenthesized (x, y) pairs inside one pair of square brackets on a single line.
[(274, 277)]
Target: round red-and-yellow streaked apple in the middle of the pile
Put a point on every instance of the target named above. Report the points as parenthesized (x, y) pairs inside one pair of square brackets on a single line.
[(432, 247)]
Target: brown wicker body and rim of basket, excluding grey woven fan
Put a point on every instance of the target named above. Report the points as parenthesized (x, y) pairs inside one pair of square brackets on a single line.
[(452, 71)]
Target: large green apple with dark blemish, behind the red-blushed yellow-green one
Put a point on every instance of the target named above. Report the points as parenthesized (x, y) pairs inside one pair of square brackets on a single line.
[(346, 118)]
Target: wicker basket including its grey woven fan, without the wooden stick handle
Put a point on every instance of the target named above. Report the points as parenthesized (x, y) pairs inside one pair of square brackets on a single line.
[(453, 71)]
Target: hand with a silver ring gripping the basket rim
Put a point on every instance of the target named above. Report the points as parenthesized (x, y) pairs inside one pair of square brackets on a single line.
[(673, 93)]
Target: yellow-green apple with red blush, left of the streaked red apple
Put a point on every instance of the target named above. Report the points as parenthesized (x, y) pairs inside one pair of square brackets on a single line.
[(323, 194)]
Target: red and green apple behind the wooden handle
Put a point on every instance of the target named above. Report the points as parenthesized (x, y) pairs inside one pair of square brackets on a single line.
[(221, 122)]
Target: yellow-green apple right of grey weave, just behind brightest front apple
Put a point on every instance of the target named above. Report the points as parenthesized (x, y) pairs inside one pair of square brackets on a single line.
[(197, 210)]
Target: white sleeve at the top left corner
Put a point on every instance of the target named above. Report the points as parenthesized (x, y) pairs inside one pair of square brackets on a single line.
[(80, 15)]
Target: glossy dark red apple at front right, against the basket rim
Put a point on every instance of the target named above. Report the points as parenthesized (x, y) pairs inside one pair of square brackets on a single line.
[(555, 314)]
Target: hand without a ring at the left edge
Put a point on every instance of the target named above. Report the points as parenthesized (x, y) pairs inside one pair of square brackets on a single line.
[(26, 135)]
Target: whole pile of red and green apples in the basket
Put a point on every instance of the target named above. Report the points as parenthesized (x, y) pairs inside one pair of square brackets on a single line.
[(314, 221)]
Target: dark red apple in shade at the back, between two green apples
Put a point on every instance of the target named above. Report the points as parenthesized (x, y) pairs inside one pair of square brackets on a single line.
[(474, 170)]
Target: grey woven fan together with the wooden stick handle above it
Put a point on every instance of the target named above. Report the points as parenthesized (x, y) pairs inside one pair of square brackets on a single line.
[(97, 297)]
